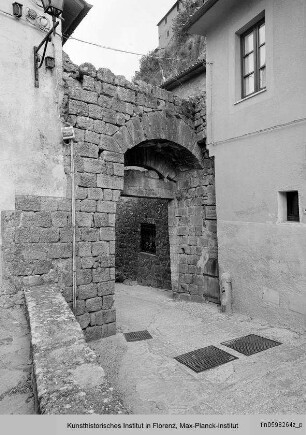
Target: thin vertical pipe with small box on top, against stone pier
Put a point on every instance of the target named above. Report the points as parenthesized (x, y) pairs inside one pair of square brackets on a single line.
[(68, 135)]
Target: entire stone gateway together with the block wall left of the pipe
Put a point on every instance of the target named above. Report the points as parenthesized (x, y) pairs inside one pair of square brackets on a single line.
[(119, 126)]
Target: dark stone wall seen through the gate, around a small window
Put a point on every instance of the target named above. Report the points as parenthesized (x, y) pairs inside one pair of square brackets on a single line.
[(145, 268)]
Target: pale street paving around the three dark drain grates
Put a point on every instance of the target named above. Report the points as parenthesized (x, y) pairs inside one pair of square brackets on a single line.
[(152, 382)]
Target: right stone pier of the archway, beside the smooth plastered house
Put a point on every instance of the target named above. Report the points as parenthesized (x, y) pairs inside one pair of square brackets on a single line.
[(193, 236)]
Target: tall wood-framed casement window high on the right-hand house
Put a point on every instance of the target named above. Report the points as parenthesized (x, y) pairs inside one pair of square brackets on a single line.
[(253, 57)]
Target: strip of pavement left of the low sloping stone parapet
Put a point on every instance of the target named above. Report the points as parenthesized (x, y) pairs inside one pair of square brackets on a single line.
[(16, 395)]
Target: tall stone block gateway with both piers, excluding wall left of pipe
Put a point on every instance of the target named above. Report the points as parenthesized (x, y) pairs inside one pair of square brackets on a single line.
[(115, 121)]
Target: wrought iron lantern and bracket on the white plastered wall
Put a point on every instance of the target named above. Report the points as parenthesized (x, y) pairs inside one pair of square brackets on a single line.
[(53, 8)]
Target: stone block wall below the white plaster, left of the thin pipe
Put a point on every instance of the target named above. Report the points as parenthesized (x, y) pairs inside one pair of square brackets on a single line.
[(37, 246)]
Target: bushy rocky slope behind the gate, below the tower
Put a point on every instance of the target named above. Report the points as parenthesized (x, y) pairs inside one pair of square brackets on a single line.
[(183, 51)]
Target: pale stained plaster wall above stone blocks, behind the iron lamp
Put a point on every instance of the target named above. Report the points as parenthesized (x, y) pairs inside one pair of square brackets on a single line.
[(31, 154)]
